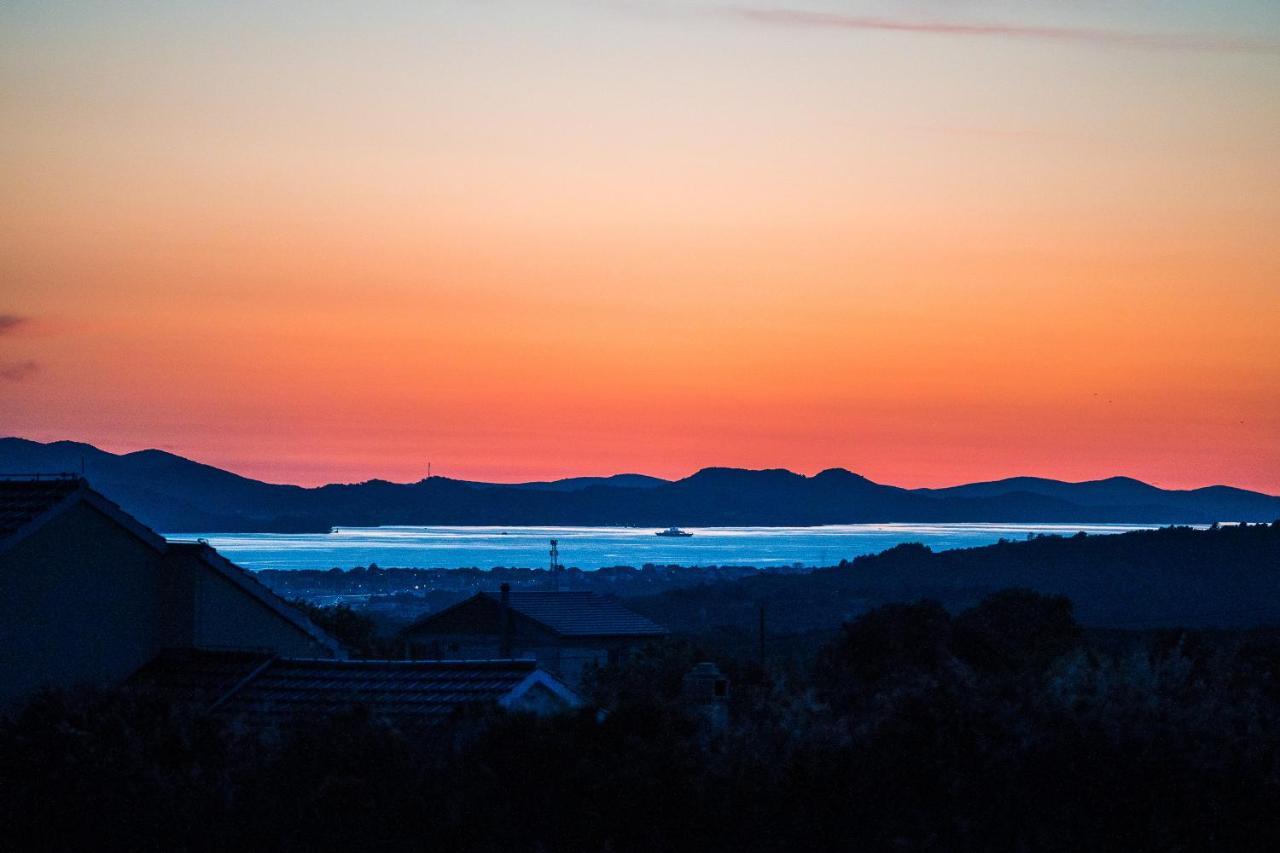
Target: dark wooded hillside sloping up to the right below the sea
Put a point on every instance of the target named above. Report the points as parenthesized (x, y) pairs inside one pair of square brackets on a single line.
[(1226, 577)]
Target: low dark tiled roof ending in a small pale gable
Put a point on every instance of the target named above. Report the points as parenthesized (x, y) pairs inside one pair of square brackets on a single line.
[(263, 690)]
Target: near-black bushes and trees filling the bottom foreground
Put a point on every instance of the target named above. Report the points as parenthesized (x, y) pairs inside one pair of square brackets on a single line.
[(1003, 728)]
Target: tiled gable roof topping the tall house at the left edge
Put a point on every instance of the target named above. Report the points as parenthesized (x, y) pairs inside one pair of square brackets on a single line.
[(29, 504)]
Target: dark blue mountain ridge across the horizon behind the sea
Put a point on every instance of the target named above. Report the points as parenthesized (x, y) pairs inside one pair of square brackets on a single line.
[(177, 495)]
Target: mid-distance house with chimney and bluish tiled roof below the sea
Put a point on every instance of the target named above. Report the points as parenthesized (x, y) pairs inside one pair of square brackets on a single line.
[(563, 631)]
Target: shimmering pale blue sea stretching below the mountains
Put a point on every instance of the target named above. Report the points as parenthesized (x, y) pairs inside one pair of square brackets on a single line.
[(596, 548)]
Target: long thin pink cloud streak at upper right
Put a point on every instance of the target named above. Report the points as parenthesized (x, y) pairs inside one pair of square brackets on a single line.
[(1084, 35)]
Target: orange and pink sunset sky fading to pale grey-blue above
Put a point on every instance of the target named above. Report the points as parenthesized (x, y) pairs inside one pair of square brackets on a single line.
[(930, 241)]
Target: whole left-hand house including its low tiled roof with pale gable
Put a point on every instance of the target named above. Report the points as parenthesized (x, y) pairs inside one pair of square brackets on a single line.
[(90, 596)]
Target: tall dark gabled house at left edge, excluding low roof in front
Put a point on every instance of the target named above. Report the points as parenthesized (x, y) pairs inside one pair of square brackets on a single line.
[(89, 595)]
